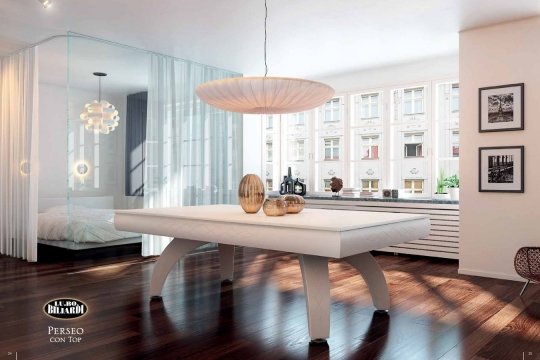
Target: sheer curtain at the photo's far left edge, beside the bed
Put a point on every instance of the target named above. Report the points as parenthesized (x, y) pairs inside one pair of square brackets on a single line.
[(18, 154)]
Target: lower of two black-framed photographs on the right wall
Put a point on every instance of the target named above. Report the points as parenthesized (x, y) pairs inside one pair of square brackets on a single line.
[(501, 169)]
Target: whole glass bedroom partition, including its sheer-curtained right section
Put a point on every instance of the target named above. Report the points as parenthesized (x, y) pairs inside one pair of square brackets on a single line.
[(138, 136)]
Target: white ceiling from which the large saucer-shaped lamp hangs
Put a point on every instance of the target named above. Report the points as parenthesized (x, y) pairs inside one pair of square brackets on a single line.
[(311, 38)]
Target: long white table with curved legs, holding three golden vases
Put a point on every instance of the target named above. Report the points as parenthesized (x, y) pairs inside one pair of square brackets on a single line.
[(314, 242)]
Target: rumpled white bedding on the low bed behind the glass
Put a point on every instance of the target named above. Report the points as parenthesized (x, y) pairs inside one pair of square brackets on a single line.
[(80, 224)]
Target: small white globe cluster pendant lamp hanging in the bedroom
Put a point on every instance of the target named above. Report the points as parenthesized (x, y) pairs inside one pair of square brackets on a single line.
[(100, 116)]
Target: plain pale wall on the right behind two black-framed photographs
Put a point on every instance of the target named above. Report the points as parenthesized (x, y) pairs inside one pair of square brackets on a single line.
[(495, 225)]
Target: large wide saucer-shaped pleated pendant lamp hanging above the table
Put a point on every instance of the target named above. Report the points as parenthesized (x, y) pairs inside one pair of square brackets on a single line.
[(264, 95)]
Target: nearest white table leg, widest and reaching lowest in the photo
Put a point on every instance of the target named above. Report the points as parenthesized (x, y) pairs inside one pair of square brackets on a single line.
[(317, 290)]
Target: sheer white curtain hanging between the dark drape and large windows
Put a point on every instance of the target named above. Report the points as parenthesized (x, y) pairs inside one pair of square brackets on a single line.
[(193, 151)]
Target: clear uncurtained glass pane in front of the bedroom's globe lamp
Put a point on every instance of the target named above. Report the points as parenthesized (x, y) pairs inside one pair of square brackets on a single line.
[(106, 89)]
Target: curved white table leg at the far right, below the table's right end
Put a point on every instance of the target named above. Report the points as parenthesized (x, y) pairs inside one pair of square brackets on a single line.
[(370, 270)]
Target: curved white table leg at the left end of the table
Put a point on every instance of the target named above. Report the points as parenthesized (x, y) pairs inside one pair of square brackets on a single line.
[(176, 250)]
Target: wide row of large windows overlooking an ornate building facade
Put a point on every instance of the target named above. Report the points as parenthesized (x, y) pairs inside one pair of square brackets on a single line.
[(395, 137)]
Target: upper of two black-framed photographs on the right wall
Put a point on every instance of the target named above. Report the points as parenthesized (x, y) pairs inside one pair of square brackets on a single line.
[(502, 108)]
